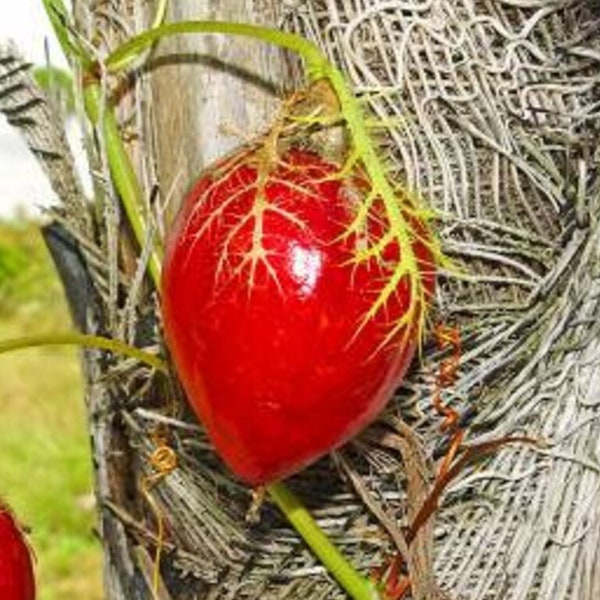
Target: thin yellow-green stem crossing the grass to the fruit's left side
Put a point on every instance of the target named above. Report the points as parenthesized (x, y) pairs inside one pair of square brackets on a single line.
[(81, 339)]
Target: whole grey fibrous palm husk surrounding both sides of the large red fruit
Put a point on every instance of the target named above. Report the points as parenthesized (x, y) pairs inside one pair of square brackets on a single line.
[(490, 113)]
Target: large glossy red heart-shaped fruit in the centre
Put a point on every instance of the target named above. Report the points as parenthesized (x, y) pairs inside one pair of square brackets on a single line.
[(264, 308)]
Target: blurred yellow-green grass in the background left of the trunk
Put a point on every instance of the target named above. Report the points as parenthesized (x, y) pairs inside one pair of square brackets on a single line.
[(44, 446)]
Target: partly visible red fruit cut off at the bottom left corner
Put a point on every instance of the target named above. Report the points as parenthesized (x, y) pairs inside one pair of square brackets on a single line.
[(16, 570)]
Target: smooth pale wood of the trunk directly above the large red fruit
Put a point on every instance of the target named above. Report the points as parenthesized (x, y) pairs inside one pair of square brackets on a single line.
[(225, 91)]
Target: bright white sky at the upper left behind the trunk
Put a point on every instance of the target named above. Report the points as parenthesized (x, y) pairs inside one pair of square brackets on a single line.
[(22, 182)]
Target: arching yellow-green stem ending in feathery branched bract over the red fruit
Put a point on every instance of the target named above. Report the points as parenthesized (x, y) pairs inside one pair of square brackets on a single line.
[(319, 67)]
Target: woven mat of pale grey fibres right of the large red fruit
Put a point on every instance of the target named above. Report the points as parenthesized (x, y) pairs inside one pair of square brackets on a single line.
[(491, 112)]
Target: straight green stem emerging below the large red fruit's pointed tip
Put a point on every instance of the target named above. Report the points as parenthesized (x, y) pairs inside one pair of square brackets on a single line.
[(334, 561)]
